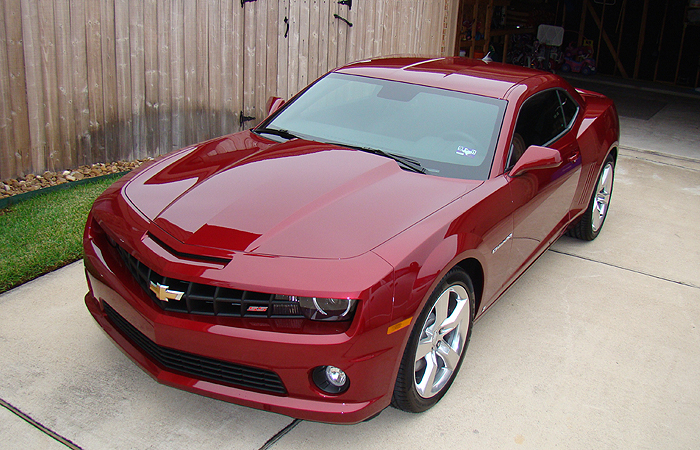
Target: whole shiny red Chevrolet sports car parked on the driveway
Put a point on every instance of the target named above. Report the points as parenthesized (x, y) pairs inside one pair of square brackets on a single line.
[(332, 261)]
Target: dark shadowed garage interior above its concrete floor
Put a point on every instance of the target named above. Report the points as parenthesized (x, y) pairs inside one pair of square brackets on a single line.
[(639, 40)]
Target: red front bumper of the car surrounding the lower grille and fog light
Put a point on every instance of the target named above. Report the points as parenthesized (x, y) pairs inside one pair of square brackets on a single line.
[(368, 355)]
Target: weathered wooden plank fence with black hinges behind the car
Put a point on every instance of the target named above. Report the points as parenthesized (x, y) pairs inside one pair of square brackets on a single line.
[(84, 81)]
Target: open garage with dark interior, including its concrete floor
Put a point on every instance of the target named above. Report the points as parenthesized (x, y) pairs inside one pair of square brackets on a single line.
[(643, 54)]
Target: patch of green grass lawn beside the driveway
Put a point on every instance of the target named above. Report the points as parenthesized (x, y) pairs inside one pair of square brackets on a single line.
[(44, 233)]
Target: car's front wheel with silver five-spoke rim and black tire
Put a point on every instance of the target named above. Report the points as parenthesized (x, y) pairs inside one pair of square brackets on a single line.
[(407, 396)]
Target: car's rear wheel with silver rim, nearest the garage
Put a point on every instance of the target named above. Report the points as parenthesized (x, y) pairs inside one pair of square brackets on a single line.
[(588, 226)]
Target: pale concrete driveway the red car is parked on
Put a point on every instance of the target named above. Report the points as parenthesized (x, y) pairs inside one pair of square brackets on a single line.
[(596, 346)]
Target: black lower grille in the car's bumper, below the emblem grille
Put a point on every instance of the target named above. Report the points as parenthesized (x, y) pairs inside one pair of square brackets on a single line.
[(199, 366)]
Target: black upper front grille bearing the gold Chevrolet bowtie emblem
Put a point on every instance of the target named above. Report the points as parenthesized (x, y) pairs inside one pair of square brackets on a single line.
[(197, 298)]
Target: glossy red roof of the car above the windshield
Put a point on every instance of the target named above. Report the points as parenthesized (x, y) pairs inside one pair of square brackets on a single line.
[(472, 76)]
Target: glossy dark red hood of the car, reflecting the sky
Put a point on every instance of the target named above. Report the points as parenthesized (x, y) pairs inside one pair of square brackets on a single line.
[(244, 193)]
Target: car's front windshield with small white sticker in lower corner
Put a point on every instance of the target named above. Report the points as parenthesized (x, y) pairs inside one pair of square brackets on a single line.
[(451, 134)]
